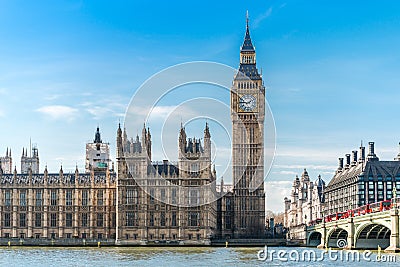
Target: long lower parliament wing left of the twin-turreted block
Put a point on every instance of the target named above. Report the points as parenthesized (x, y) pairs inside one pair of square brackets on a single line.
[(59, 207)]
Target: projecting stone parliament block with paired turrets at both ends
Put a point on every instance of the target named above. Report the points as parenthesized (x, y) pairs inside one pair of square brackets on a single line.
[(164, 201)]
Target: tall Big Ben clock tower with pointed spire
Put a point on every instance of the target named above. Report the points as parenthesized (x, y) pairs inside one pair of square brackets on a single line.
[(247, 114)]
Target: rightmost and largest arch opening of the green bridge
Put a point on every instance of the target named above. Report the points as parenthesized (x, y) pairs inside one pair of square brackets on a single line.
[(372, 235)]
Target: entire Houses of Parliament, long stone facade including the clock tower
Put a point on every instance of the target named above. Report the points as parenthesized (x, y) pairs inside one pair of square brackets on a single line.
[(139, 201)]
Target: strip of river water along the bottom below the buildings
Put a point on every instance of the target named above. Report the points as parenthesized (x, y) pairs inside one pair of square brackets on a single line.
[(177, 256)]
